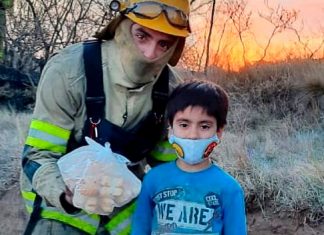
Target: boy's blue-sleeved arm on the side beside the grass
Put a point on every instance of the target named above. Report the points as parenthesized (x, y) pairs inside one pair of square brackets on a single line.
[(234, 213)]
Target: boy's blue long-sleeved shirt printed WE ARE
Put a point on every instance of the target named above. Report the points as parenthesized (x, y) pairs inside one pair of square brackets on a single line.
[(173, 201)]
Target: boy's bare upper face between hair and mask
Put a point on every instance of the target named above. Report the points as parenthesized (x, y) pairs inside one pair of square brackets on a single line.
[(194, 123)]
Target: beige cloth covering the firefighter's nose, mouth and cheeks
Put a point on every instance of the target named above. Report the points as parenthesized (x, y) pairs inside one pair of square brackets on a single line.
[(138, 69)]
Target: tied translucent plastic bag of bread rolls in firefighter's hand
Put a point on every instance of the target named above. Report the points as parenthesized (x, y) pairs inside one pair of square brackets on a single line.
[(98, 178)]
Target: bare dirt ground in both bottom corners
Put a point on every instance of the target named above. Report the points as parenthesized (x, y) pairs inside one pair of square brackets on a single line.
[(13, 219)]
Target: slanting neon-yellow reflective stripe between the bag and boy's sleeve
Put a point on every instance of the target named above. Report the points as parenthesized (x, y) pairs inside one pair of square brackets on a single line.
[(122, 216)]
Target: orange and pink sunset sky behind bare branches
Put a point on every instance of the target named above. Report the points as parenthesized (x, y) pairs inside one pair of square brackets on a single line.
[(309, 23)]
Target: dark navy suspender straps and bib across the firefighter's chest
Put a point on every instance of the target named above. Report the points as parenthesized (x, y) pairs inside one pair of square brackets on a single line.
[(139, 140)]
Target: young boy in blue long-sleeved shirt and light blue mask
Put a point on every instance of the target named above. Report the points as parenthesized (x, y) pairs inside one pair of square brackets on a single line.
[(192, 195)]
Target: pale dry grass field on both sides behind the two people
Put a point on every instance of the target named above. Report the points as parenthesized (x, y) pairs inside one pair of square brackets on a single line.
[(273, 143)]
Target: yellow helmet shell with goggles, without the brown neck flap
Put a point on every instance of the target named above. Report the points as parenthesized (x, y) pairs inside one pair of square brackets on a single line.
[(166, 16)]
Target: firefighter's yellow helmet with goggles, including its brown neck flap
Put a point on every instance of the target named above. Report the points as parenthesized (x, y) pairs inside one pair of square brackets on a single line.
[(160, 22)]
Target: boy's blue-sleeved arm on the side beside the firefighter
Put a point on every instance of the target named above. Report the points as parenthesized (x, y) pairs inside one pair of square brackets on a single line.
[(143, 216)]
